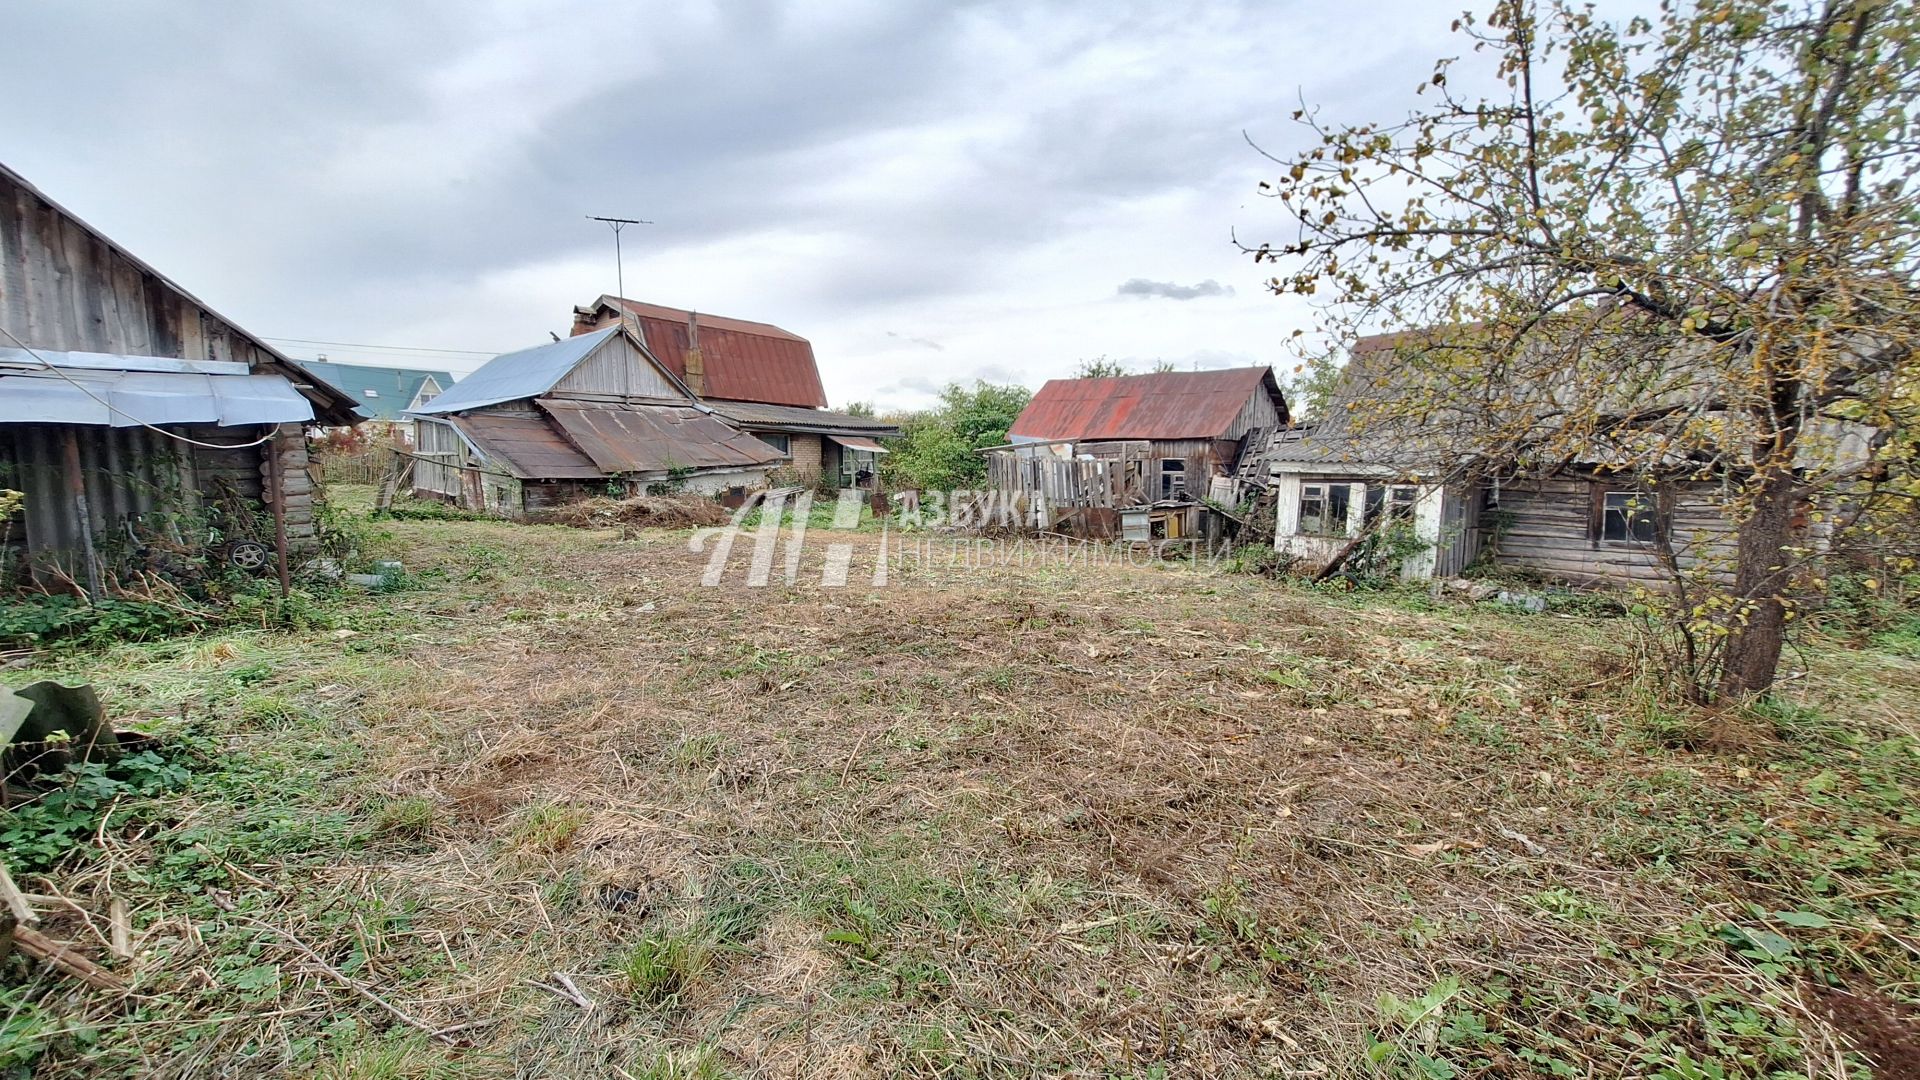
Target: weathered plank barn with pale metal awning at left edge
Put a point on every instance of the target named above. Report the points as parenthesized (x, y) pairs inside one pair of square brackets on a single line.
[(135, 418)]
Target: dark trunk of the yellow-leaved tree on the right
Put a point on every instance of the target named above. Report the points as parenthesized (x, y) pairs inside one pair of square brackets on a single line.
[(1762, 577)]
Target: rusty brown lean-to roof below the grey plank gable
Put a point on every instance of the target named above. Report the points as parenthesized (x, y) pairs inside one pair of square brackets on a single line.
[(656, 439)]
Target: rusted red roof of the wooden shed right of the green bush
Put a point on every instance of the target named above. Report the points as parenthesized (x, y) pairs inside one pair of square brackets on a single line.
[(1168, 405)]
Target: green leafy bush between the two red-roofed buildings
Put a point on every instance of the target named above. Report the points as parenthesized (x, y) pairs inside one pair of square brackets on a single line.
[(936, 449)]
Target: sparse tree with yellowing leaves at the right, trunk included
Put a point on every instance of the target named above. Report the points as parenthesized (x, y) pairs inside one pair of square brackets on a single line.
[(1689, 241)]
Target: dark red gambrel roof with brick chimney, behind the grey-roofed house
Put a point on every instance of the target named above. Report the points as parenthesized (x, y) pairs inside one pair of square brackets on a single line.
[(744, 362)]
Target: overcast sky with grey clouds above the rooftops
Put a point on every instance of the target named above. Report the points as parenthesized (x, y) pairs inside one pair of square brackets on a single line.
[(924, 191)]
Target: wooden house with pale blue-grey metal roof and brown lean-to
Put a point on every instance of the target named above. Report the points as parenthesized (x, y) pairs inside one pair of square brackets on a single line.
[(585, 416)]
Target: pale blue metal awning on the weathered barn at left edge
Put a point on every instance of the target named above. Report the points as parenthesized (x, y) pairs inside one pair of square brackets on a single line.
[(133, 399)]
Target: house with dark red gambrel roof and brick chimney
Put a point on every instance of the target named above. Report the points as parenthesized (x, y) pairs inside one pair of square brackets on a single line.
[(759, 378)]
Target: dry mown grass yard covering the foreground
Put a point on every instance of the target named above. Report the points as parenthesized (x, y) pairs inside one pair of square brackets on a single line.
[(558, 810)]
